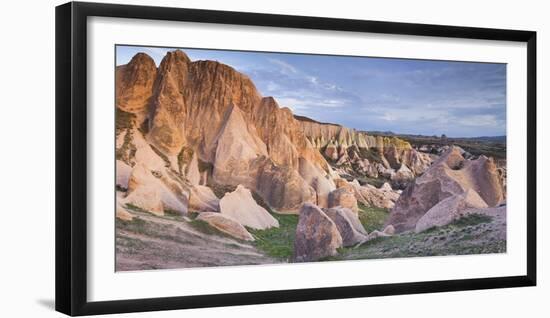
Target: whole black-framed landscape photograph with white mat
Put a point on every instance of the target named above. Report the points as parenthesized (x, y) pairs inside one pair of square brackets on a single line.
[(208, 158)]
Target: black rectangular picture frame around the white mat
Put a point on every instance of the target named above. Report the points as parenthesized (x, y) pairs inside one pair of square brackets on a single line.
[(71, 157)]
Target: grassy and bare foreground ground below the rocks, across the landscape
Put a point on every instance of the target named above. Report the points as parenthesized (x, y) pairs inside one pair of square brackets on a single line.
[(154, 242)]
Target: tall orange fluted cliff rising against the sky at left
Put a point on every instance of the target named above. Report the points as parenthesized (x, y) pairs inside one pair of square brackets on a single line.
[(206, 123)]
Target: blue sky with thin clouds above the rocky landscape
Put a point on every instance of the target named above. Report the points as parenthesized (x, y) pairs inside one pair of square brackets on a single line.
[(459, 99)]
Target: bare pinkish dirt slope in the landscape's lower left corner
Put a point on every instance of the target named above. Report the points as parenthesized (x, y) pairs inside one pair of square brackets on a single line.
[(153, 242)]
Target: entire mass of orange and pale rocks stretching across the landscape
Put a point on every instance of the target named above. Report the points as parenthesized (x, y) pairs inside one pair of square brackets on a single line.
[(199, 137)]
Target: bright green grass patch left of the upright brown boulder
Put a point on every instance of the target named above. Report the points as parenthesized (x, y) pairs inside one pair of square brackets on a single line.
[(277, 242)]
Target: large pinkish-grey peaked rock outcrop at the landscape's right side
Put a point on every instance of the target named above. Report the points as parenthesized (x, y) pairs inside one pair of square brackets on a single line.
[(465, 183)]
